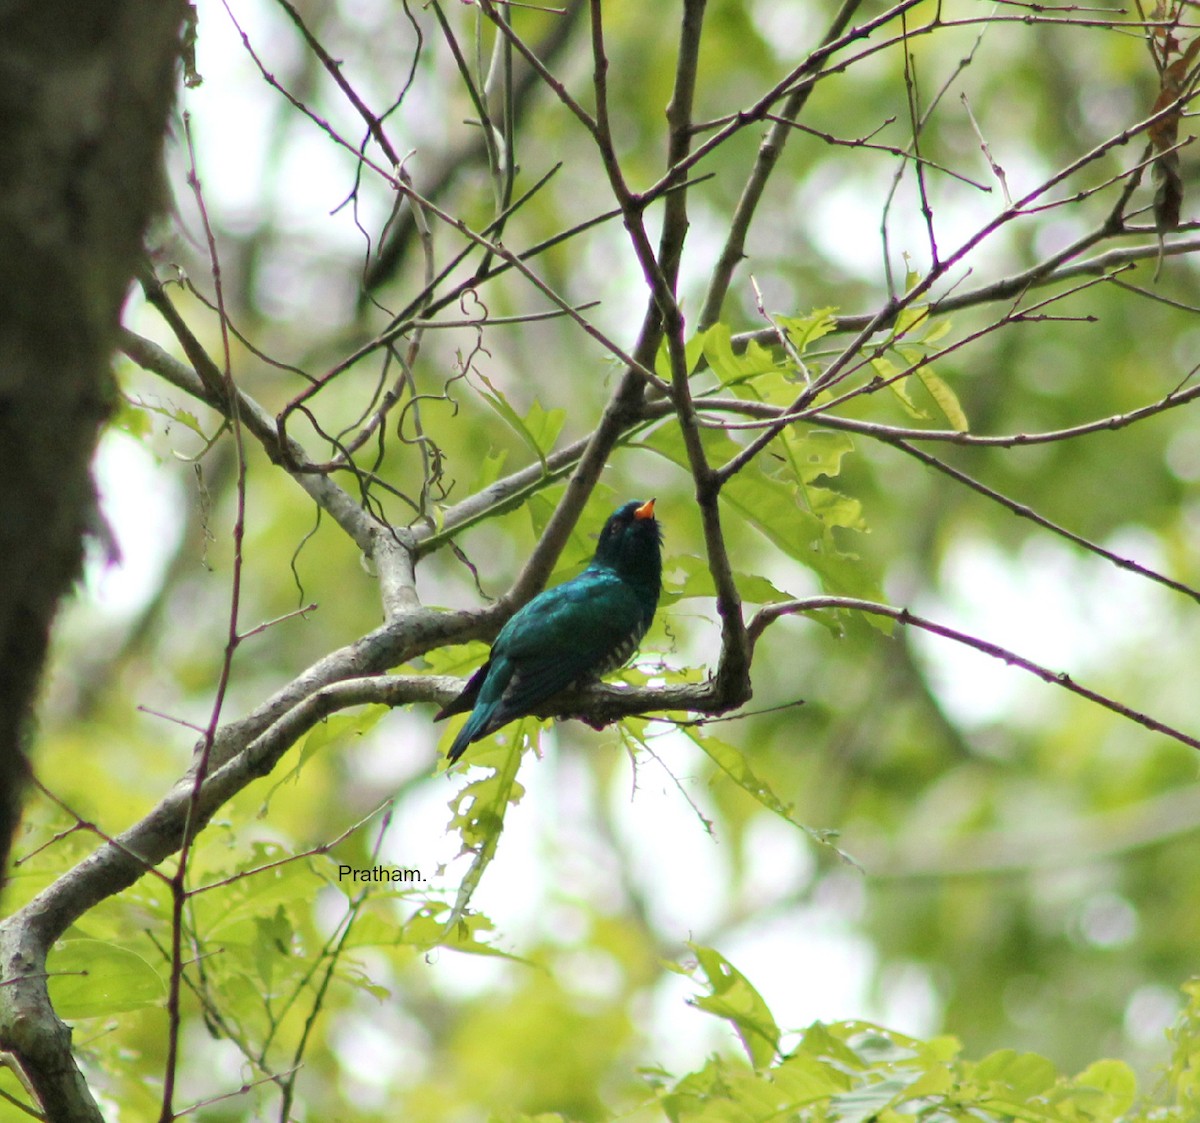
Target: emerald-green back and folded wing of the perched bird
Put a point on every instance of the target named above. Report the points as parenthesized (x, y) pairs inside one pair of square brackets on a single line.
[(563, 635)]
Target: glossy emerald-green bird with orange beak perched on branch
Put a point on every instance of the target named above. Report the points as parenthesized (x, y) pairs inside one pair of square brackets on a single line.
[(578, 630)]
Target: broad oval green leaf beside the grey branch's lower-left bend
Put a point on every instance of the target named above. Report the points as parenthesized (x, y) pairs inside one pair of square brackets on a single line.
[(92, 978)]
